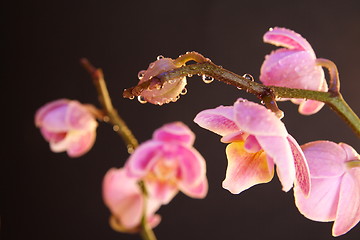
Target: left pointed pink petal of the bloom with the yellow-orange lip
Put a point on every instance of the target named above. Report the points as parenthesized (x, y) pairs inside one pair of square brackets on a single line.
[(219, 120)]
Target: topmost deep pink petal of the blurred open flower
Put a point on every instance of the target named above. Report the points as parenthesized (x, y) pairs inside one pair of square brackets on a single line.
[(177, 132)]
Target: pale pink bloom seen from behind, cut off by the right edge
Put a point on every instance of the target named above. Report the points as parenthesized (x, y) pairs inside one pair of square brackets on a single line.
[(335, 181)]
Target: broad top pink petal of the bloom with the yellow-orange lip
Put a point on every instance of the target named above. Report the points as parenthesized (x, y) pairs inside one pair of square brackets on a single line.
[(255, 119)]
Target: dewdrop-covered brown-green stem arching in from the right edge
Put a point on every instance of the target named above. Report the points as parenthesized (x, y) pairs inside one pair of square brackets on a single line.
[(267, 93)]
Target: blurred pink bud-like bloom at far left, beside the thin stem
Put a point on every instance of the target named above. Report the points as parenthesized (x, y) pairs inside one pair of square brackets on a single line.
[(68, 126)]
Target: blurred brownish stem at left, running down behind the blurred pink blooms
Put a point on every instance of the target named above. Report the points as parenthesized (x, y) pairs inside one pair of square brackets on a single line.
[(112, 116)]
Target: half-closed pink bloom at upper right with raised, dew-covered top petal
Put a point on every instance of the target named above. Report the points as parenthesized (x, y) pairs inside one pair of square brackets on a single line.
[(293, 66)]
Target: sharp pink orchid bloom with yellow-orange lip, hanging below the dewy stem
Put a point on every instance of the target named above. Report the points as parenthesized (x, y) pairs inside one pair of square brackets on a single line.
[(258, 140)]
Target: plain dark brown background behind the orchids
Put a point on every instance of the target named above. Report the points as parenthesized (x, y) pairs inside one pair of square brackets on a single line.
[(51, 196)]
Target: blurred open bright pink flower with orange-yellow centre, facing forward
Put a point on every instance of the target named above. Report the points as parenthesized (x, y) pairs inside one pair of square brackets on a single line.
[(168, 163)]
